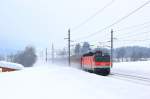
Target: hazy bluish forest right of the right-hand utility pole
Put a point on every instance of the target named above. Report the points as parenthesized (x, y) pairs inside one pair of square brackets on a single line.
[(134, 53)]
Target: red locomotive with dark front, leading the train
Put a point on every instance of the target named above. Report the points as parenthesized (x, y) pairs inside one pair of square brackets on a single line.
[(97, 62)]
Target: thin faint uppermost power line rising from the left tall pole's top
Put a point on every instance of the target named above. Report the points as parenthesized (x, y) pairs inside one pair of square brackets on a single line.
[(92, 16)]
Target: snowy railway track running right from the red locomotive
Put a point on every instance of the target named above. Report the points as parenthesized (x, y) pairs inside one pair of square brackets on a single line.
[(132, 78)]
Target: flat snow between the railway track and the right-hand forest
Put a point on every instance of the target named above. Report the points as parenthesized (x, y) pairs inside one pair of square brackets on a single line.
[(140, 68)]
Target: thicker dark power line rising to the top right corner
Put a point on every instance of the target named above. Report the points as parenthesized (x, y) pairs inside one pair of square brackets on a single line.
[(118, 21)]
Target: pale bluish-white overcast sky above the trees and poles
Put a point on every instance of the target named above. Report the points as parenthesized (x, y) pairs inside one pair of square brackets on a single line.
[(43, 22)]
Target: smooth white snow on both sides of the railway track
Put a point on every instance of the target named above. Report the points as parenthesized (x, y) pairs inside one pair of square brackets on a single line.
[(48, 81)]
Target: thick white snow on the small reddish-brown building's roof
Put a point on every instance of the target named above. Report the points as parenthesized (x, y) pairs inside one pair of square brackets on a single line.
[(11, 65)]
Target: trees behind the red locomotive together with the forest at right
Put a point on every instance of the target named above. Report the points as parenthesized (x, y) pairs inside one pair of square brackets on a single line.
[(132, 53)]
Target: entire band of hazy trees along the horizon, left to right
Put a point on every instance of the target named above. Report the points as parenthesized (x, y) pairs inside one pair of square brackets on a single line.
[(133, 53)]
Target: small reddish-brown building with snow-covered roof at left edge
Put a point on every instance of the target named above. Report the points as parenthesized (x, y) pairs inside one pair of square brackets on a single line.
[(9, 66)]
